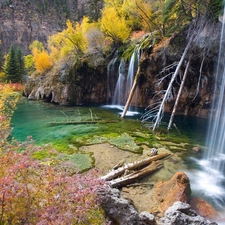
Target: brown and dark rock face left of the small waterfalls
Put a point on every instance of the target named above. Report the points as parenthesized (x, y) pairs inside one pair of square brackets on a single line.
[(67, 86)]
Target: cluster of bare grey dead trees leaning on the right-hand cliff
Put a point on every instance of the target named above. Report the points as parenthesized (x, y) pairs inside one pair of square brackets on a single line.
[(201, 35)]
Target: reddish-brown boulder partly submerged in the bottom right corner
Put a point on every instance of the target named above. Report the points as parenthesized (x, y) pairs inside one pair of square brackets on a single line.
[(203, 208)]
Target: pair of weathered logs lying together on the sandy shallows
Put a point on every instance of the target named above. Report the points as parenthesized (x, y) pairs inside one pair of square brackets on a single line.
[(130, 172)]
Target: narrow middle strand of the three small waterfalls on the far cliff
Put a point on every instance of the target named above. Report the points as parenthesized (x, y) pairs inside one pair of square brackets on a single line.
[(119, 90)]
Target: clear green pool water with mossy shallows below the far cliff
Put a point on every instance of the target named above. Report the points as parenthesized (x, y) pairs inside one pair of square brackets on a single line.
[(32, 118)]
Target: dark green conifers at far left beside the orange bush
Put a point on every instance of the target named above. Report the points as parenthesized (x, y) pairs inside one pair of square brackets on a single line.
[(14, 67)]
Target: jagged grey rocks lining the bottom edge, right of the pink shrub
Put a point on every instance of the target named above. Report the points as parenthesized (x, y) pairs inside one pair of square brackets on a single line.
[(121, 212)]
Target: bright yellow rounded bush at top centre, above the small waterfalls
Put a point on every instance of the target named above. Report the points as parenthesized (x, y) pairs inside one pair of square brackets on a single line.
[(114, 26)]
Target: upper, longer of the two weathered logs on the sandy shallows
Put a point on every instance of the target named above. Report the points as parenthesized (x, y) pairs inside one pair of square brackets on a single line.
[(132, 166)]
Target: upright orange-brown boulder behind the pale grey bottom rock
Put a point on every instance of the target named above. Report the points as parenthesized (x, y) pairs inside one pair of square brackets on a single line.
[(176, 189)]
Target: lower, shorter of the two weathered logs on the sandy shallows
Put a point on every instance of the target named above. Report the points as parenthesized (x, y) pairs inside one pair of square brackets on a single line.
[(127, 179)]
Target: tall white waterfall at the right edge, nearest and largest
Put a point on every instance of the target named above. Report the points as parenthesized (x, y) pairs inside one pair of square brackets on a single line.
[(215, 154)]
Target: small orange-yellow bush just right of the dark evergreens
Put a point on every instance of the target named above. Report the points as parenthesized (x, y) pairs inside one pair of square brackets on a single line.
[(42, 60)]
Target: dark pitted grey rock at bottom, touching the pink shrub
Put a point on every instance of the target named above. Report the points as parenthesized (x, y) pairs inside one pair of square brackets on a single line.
[(121, 211)]
